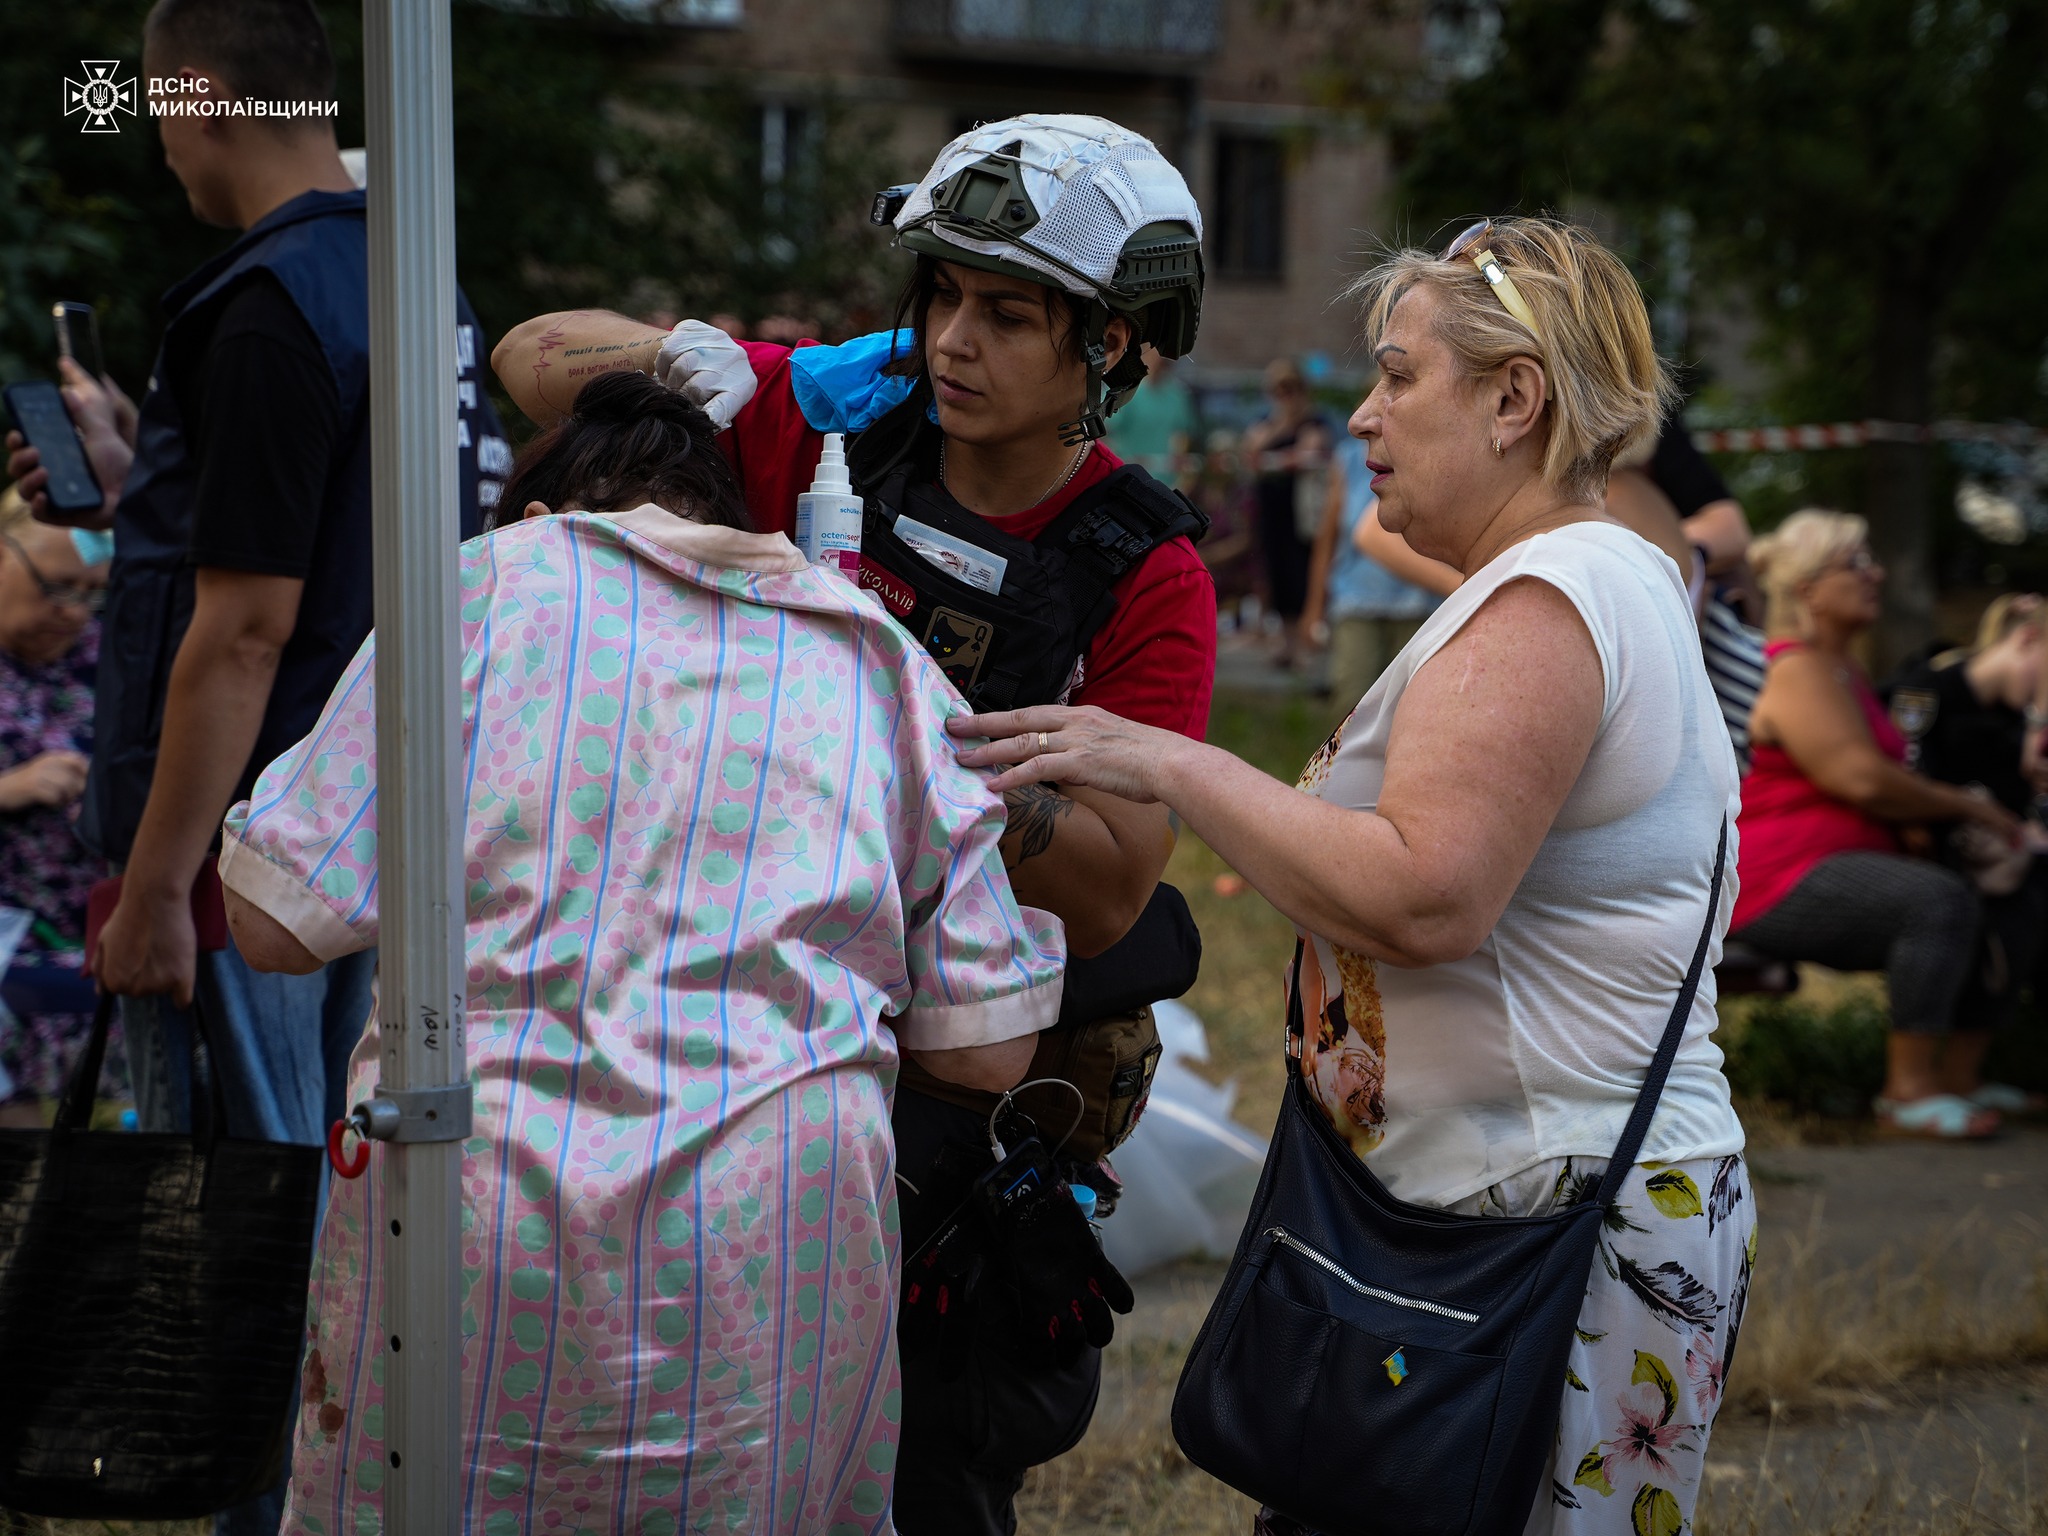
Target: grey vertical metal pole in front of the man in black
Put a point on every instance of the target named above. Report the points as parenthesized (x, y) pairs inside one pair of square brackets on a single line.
[(423, 1097)]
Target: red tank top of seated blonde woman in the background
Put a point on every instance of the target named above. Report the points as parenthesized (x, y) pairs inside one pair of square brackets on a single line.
[(1791, 824)]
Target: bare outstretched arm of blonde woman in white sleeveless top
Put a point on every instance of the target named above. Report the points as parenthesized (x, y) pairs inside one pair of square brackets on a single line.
[(1426, 876)]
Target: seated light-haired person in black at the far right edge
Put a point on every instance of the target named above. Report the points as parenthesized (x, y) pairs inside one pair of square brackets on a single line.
[(1965, 720)]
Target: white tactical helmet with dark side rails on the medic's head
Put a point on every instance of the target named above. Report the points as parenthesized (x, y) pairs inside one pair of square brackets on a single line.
[(1078, 204)]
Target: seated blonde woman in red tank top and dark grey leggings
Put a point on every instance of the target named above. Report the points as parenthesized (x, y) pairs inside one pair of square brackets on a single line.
[(1828, 796)]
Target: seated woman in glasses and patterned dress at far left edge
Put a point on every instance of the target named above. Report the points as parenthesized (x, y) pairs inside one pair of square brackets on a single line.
[(50, 644)]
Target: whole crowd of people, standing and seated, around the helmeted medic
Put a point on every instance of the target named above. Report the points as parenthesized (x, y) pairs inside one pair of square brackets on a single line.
[(814, 916)]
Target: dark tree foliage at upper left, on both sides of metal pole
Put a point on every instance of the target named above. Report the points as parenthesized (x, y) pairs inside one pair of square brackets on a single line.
[(583, 177)]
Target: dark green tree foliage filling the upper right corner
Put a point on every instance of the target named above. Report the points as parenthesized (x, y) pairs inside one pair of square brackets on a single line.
[(1867, 177)]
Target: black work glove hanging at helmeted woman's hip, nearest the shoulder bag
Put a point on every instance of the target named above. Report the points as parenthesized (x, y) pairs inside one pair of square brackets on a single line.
[(1062, 1287)]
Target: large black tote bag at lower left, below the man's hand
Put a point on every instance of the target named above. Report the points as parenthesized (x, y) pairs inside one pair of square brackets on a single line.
[(153, 1312)]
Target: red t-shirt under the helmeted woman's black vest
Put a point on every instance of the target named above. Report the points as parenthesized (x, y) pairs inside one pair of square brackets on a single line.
[(1154, 660)]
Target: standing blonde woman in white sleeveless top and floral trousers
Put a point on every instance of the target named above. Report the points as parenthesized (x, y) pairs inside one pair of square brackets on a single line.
[(1502, 861)]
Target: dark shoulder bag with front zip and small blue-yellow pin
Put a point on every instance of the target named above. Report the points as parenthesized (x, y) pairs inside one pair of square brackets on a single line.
[(1383, 1369)]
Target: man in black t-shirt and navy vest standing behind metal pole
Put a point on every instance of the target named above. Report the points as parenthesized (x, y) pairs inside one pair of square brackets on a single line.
[(241, 585)]
